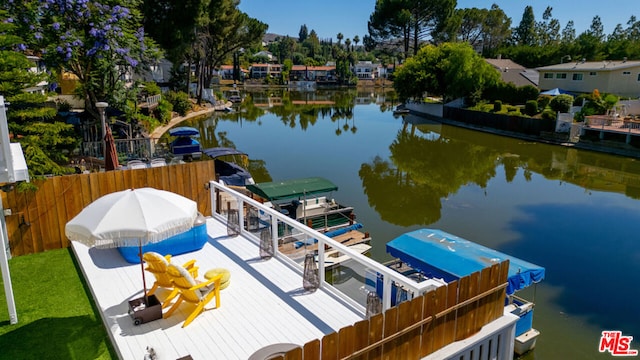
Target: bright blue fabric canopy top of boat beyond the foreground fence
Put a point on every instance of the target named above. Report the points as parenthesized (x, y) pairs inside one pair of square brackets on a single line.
[(451, 257)]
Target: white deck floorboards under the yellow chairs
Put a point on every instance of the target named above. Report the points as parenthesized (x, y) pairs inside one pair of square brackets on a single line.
[(264, 304)]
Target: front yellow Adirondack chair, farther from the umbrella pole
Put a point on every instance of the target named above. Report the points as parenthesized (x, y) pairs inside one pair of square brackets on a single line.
[(192, 291)]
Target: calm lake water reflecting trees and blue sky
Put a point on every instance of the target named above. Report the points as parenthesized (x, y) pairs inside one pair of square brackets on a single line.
[(577, 213)]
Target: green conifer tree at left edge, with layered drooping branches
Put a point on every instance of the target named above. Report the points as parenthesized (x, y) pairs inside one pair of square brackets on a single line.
[(45, 141)]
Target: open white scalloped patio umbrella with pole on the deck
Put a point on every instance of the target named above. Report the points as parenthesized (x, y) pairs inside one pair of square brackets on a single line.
[(133, 217)]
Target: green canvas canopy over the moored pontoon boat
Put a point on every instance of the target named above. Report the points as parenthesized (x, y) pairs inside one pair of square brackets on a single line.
[(280, 190)]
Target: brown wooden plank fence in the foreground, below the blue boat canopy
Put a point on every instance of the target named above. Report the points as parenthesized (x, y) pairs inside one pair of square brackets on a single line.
[(417, 328)]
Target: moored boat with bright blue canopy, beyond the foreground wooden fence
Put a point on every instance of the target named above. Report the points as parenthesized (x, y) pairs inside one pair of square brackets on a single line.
[(432, 253)]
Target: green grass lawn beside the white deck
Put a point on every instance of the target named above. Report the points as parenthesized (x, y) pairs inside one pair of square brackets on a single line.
[(56, 317)]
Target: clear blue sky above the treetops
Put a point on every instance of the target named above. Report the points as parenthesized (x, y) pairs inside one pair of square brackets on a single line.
[(329, 17)]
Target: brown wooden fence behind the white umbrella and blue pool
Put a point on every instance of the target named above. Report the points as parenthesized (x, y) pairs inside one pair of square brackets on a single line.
[(38, 219)]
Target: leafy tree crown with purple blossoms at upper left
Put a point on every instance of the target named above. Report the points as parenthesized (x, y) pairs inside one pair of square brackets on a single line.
[(102, 43)]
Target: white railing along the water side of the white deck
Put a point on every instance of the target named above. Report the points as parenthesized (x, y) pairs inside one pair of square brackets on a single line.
[(225, 199)]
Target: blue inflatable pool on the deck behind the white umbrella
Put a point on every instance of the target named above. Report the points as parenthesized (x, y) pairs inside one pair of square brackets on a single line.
[(185, 242)]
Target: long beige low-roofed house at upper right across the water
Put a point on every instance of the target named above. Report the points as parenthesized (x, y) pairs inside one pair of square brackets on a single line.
[(619, 77)]
